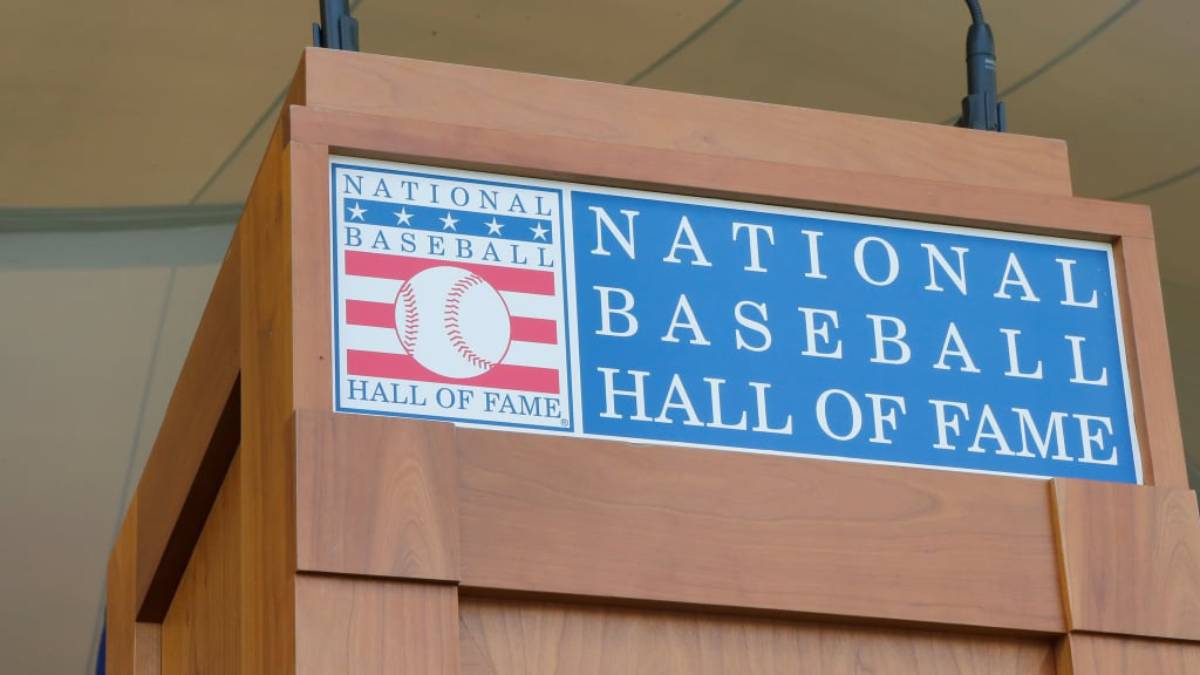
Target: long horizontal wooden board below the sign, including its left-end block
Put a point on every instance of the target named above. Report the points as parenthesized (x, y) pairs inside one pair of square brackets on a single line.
[(622, 523)]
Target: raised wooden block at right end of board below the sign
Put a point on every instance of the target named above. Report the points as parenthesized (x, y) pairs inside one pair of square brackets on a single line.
[(1131, 559)]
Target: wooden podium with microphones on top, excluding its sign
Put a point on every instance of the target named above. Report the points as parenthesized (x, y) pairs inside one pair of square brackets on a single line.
[(271, 535)]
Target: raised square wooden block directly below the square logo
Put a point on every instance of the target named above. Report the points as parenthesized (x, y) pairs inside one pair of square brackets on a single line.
[(376, 498)]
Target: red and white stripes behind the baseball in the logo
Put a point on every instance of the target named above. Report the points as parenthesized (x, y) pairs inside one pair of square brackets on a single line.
[(369, 289)]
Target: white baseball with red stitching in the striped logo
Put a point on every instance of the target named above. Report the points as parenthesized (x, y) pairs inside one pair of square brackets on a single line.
[(453, 322)]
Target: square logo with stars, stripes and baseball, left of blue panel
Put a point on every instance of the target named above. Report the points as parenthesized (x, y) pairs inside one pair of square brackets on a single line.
[(451, 301)]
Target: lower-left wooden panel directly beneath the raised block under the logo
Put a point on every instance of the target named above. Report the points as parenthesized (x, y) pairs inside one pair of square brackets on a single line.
[(375, 628)]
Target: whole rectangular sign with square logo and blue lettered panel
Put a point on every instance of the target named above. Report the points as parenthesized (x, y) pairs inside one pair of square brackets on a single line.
[(555, 308)]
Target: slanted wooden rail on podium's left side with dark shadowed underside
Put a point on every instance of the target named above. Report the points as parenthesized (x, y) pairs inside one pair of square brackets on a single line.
[(194, 449)]
